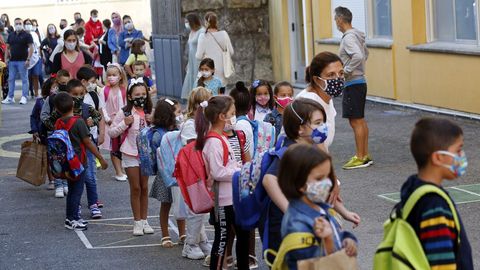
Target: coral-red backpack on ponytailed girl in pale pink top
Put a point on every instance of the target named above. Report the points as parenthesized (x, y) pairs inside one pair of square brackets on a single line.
[(191, 175)]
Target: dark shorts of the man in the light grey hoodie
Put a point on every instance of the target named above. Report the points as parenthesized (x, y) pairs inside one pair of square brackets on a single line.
[(353, 103)]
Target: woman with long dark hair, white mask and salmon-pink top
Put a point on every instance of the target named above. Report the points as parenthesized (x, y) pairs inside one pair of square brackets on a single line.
[(71, 58)]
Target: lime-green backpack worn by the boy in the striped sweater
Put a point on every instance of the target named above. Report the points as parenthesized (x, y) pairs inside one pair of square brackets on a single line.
[(400, 248)]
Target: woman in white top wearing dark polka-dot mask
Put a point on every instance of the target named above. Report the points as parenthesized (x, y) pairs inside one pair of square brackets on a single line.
[(324, 68)]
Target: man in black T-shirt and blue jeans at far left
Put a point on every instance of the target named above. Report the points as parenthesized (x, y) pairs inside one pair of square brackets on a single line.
[(19, 52)]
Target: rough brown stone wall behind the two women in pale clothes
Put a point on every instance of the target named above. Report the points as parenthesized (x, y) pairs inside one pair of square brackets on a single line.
[(246, 22)]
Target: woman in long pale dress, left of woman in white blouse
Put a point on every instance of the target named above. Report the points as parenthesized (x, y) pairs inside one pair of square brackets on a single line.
[(192, 23)]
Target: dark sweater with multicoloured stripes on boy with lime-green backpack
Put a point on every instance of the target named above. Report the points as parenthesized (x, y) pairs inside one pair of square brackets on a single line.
[(433, 222)]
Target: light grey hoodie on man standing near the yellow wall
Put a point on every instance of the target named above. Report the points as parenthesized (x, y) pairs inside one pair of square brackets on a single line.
[(354, 54)]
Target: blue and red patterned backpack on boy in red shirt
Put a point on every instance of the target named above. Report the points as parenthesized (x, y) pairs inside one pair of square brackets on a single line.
[(62, 159)]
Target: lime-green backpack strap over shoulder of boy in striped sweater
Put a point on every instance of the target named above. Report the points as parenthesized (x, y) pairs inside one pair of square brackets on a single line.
[(424, 190)]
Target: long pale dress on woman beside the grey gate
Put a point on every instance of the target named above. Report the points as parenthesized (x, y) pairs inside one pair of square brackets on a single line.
[(192, 67)]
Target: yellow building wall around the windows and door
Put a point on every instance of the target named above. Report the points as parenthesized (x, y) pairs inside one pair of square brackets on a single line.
[(435, 79)]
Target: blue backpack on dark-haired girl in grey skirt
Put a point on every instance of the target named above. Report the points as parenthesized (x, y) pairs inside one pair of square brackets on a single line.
[(147, 155)]
